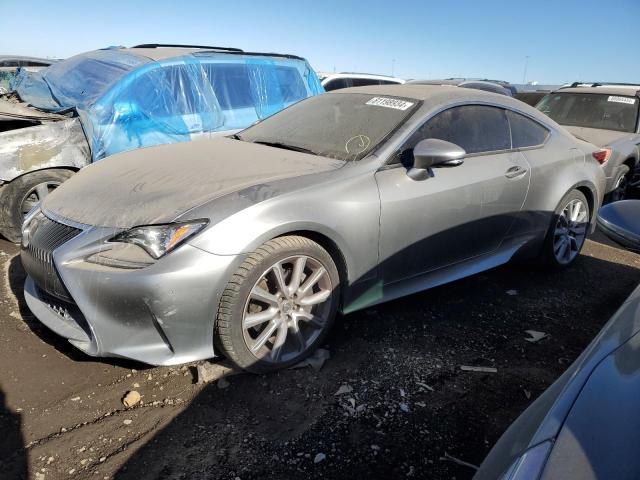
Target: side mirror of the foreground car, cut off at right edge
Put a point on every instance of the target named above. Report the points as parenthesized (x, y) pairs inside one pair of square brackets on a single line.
[(620, 221)]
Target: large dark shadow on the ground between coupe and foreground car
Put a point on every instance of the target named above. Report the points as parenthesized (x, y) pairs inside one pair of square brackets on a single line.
[(255, 427)]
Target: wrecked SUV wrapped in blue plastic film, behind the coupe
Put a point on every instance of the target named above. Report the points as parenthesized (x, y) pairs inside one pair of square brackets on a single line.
[(102, 102)]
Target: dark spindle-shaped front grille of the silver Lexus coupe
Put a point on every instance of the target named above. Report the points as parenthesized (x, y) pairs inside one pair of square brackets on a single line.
[(44, 236)]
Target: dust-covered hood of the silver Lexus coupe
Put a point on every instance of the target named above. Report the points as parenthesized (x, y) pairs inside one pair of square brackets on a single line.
[(157, 184)]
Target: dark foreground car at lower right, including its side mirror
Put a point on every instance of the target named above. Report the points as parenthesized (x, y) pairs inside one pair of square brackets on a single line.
[(586, 425)]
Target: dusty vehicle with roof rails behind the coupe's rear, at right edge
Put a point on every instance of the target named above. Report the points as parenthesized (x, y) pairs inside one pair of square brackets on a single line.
[(607, 116)]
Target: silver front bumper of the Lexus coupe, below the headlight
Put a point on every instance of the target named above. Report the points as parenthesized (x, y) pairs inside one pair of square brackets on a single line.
[(162, 314)]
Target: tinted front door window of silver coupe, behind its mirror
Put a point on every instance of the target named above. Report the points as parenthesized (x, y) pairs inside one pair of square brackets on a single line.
[(476, 128)]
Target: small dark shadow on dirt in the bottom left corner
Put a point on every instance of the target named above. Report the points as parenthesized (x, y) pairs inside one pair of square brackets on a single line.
[(13, 454)]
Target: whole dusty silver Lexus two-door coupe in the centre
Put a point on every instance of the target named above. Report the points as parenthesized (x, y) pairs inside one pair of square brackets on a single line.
[(248, 246)]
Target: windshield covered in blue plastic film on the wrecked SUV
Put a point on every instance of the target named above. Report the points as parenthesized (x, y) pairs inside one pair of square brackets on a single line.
[(78, 81)]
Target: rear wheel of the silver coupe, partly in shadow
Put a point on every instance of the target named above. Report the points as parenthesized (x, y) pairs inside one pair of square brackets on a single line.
[(567, 232)]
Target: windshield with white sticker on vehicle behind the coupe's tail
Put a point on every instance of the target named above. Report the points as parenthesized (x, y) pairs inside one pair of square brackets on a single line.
[(609, 112)]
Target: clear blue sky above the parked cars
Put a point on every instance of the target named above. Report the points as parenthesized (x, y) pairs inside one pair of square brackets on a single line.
[(565, 40)]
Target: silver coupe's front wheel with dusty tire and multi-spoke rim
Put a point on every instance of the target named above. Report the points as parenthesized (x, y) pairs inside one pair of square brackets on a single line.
[(279, 305)]
